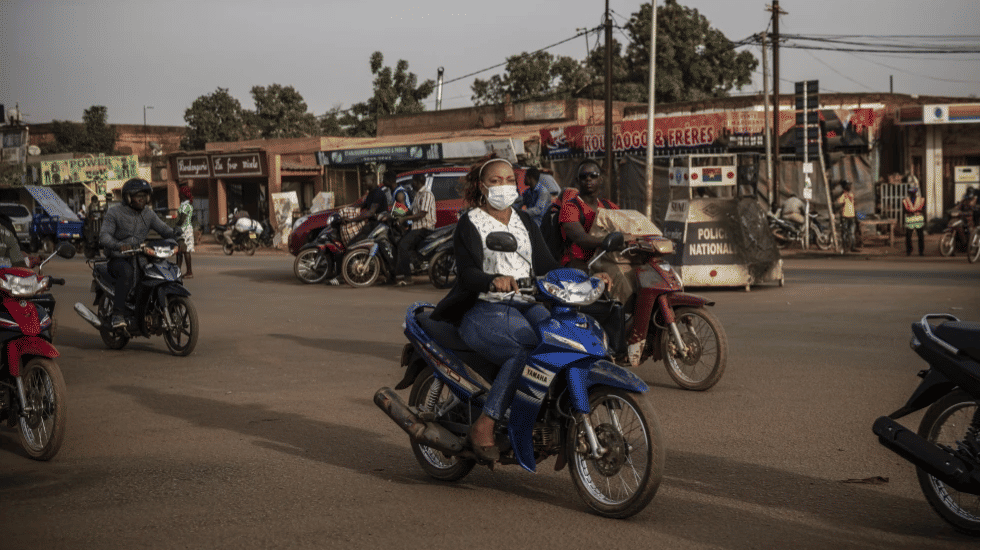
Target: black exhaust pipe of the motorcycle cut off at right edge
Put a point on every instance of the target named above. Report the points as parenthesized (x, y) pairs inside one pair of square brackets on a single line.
[(926, 455)]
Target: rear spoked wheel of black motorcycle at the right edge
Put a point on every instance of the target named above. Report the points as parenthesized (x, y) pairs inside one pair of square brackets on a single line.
[(952, 421)]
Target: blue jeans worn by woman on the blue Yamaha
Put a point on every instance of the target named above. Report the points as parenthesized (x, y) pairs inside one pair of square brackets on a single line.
[(504, 334)]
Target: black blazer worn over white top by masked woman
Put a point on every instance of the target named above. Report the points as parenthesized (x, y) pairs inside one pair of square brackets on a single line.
[(471, 279)]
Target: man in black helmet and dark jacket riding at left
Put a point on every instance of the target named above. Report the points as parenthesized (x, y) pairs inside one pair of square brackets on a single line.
[(124, 228)]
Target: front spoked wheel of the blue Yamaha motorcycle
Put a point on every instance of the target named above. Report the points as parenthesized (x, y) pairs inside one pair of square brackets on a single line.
[(625, 478)]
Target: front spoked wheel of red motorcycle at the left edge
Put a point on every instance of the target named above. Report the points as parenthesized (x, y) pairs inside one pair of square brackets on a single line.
[(43, 429)]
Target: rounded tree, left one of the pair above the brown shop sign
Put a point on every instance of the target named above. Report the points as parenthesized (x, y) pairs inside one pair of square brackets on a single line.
[(214, 117)]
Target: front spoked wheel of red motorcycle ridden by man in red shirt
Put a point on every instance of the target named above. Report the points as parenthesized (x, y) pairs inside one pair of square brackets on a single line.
[(701, 365)]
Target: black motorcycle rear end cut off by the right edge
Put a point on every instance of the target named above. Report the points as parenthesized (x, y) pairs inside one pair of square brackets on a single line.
[(945, 448)]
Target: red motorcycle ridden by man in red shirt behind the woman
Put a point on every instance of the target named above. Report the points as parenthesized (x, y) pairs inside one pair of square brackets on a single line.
[(663, 321)]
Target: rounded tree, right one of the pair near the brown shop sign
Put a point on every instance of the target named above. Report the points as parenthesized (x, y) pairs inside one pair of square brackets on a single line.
[(280, 112)]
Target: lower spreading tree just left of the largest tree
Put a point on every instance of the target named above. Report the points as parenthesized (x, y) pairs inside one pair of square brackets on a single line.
[(530, 77)]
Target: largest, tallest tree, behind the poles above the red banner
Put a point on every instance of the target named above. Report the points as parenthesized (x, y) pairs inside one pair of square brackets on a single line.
[(694, 60)]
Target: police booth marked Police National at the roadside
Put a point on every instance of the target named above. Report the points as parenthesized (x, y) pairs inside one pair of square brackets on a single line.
[(721, 240)]
